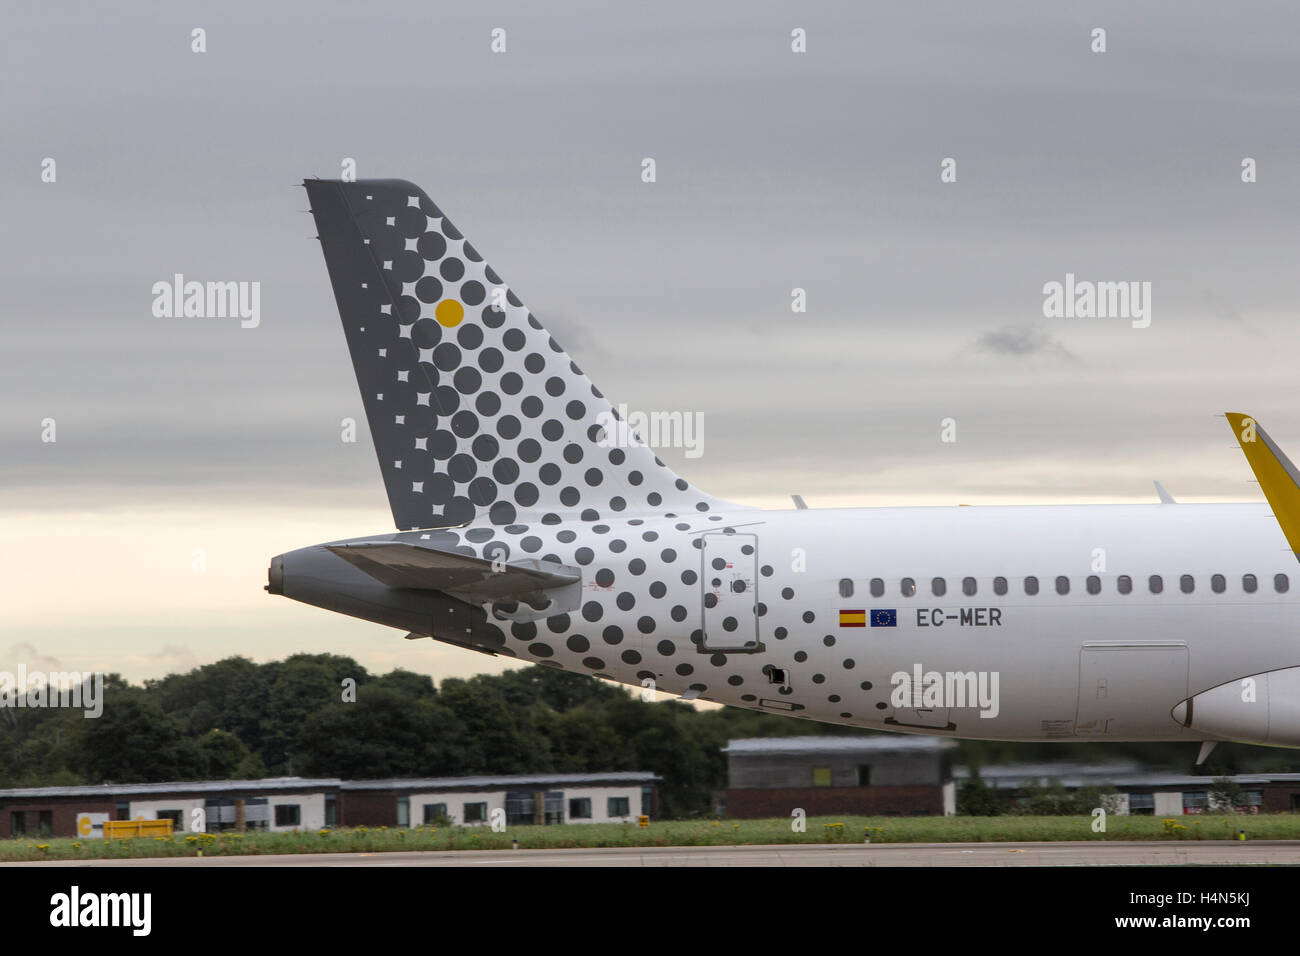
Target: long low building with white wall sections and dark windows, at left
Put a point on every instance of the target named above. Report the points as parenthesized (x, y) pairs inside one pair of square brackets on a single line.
[(294, 803)]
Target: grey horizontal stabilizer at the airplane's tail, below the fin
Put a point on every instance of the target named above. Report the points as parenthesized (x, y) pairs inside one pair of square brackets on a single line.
[(408, 566)]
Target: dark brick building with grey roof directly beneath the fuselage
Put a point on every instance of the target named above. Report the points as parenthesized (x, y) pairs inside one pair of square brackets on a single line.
[(870, 776)]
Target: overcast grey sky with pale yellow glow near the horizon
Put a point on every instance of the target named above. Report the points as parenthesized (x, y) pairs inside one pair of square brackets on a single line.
[(775, 171)]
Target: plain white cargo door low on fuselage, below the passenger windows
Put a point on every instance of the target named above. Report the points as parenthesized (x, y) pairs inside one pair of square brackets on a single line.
[(1126, 691)]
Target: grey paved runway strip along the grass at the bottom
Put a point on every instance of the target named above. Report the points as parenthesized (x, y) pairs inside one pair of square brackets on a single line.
[(838, 855)]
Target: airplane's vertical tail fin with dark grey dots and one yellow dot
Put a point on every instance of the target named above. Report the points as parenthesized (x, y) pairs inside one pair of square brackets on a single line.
[(476, 413)]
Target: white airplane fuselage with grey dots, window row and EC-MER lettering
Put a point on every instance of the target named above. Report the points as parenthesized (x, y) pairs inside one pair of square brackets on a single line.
[(1038, 667)]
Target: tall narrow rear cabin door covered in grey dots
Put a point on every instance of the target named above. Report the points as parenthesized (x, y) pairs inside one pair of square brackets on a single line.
[(729, 579)]
